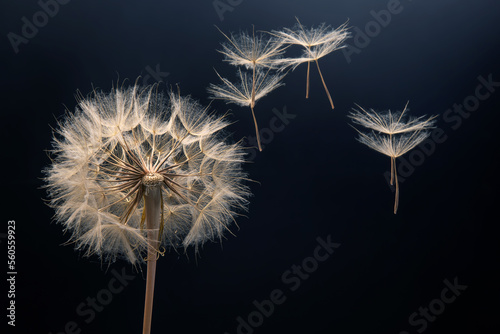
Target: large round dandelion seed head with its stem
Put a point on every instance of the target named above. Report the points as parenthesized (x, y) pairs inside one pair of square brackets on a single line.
[(135, 172)]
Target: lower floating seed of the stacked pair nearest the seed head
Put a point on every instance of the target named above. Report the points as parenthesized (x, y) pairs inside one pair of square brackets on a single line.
[(248, 91)]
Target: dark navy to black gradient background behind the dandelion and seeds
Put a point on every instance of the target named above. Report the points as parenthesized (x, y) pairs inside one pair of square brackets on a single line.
[(314, 179)]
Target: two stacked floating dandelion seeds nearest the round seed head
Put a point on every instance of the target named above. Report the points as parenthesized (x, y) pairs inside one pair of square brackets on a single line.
[(256, 53)]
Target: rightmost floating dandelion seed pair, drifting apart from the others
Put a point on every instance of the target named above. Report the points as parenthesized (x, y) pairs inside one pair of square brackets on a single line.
[(392, 134)]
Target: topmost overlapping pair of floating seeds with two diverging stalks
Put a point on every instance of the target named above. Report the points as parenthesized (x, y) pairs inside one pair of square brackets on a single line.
[(317, 43)]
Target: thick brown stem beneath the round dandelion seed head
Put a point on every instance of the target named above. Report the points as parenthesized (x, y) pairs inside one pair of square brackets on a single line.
[(152, 204)]
